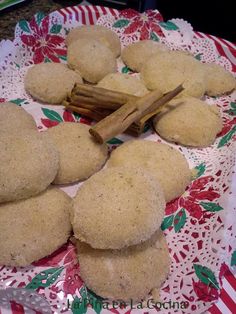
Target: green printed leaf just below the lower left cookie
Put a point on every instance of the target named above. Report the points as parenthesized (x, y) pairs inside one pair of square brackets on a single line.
[(45, 278)]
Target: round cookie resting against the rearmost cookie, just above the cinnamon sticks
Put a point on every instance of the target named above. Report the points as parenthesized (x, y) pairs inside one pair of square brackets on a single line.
[(92, 59)]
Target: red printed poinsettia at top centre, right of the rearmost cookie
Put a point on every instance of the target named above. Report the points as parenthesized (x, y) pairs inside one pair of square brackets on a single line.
[(145, 23)]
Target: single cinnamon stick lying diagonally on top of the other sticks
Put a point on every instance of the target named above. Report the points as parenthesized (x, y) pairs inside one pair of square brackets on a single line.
[(132, 111)]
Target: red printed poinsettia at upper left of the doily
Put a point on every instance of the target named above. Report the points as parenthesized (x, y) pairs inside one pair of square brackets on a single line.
[(43, 44)]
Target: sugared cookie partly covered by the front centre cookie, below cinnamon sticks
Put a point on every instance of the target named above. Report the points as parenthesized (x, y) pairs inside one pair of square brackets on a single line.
[(165, 163)]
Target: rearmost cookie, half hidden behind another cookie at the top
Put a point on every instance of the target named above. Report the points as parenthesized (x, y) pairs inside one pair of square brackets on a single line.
[(104, 35)]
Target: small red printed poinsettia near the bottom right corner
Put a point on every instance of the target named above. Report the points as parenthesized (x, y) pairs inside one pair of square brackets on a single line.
[(205, 293)]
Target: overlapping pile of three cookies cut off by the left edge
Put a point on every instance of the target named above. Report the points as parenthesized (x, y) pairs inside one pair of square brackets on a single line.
[(34, 219)]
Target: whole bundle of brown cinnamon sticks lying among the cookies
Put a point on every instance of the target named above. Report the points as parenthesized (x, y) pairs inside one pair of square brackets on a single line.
[(116, 112)]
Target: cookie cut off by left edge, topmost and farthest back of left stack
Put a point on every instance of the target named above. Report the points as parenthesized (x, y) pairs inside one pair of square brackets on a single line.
[(14, 118)]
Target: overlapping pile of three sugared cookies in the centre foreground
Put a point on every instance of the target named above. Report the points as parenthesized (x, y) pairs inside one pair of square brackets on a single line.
[(117, 215)]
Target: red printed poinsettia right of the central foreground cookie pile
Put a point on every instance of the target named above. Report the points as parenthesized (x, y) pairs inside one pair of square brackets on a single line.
[(190, 200)]
